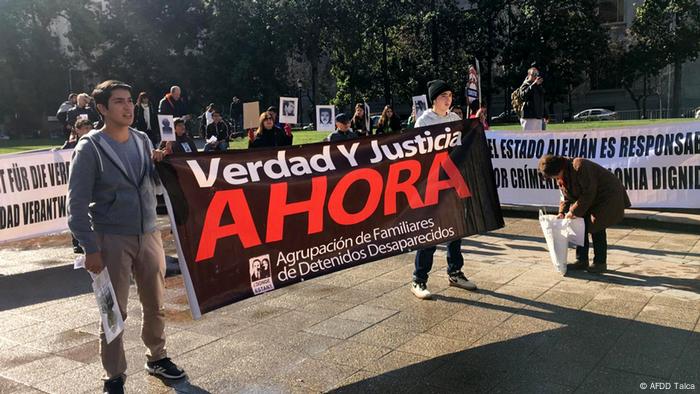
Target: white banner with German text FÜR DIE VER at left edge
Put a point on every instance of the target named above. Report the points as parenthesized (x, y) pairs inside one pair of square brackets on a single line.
[(33, 194)]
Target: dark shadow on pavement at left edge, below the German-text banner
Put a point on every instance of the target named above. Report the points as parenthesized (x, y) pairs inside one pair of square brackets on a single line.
[(40, 286)]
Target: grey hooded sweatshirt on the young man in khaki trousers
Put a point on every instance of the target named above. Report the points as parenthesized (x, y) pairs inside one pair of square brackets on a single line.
[(103, 198)]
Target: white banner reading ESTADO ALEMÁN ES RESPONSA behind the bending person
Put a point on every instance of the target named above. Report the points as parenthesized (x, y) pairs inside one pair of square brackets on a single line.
[(659, 166)]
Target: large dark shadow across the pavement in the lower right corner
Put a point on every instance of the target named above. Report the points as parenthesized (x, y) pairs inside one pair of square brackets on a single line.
[(549, 348)]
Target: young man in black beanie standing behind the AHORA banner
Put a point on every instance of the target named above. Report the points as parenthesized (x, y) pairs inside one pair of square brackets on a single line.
[(440, 95)]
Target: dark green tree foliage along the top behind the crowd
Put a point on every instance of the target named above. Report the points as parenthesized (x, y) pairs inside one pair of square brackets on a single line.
[(376, 49)]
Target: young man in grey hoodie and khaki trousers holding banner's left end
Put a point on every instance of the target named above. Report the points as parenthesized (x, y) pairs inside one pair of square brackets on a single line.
[(112, 214)]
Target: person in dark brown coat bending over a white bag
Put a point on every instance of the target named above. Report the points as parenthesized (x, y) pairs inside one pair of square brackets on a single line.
[(590, 192)]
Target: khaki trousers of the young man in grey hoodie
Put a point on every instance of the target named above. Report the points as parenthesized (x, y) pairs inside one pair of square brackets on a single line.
[(142, 256)]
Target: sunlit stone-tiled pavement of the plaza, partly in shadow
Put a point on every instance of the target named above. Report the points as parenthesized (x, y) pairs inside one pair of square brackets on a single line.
[(526, 330)]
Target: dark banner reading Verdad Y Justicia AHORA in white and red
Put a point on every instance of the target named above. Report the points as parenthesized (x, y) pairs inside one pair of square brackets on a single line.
[(248, 222)]
